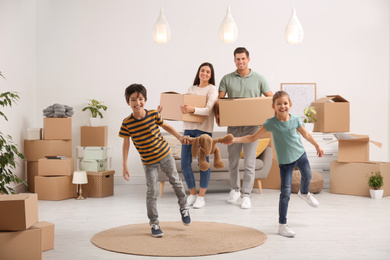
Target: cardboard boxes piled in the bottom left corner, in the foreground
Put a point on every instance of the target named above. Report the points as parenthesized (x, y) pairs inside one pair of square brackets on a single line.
[(21, 235)]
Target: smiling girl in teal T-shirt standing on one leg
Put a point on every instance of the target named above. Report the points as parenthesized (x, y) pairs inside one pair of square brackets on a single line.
[(290, 153)]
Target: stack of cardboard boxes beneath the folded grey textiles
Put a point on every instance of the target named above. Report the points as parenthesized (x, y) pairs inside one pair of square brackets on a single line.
[(51, 178)]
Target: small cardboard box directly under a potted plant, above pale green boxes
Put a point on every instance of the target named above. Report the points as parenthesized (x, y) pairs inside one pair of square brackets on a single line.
[(94, 136)]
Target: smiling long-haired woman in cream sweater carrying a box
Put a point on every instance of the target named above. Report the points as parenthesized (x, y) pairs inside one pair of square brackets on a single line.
[(204, 84)]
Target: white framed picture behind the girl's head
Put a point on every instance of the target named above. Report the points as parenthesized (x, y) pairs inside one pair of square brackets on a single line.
[(301, 95)]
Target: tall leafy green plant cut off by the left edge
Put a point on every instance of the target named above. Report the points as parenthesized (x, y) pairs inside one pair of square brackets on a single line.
[(8, 150)]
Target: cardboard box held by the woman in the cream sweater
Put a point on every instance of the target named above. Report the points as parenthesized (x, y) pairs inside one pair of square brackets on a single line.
[(171, 102)]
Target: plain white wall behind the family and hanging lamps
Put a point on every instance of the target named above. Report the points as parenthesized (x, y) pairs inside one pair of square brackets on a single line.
[(95, 48)]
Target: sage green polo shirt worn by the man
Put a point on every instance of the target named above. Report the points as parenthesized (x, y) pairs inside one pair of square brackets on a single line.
[(236, 86)]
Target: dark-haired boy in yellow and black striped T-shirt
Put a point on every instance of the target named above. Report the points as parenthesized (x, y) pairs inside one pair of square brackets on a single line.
[(143, 128)]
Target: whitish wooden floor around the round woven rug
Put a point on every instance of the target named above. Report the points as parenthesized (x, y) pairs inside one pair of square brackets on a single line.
[(343, 227)]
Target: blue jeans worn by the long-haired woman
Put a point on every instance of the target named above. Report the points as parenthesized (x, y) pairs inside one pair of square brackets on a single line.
[(186, 161)]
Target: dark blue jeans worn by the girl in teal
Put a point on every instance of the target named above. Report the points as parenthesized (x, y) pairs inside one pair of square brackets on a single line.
[(285, 183)]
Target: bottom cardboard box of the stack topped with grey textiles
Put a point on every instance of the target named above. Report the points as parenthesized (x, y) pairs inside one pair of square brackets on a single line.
[(55, 187)]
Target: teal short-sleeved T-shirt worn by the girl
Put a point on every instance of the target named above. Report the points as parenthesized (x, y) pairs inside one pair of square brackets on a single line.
[(287, 140)]
